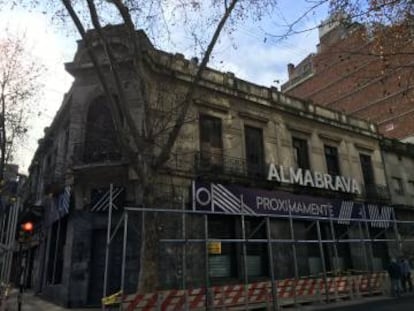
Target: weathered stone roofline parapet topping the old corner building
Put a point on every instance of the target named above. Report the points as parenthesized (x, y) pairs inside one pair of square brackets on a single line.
[(184, 70)]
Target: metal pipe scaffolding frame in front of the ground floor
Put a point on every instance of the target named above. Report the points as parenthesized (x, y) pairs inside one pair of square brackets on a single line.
[(389, 233)]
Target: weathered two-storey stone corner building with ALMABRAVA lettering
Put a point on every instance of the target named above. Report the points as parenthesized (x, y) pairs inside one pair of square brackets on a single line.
[(246, 154)]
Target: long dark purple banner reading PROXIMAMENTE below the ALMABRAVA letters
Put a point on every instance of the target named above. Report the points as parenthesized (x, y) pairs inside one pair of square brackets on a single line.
[(233, 199)]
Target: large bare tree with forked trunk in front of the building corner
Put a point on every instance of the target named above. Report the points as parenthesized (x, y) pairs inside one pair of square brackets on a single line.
[(148, 143)]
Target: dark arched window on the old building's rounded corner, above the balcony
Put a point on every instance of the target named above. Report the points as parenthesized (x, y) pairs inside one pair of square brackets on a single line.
[(100, 137)]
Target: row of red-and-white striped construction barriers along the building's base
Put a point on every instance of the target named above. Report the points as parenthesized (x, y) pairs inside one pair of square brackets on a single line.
[(254, 295)]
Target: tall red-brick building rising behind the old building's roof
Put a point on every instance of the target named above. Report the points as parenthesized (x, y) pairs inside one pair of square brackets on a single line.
[(353, 73)]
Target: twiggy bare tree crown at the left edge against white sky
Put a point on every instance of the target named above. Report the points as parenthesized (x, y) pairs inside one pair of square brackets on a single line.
[(20, 85)]
